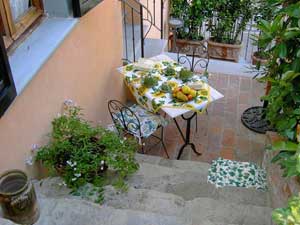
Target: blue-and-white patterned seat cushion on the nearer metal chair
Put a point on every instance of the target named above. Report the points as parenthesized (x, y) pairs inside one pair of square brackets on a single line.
[(149, 122)]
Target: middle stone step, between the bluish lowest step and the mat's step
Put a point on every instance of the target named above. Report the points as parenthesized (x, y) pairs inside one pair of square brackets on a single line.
[(198, 209)]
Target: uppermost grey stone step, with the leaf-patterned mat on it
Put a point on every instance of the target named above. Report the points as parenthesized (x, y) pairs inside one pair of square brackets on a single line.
[(189, 180)]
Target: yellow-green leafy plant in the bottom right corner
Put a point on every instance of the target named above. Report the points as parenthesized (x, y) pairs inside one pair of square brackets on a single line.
[(289, 215)]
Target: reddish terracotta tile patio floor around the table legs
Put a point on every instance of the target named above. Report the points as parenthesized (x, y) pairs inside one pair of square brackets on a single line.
[(220, 132)]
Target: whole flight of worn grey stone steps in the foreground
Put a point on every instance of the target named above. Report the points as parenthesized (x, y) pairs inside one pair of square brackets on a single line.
[(162, 192)]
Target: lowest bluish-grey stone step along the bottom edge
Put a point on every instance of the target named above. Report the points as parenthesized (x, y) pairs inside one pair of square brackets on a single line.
[(79, 212)]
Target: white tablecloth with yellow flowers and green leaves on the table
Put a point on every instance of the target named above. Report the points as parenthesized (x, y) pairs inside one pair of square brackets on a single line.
[(153, 98)]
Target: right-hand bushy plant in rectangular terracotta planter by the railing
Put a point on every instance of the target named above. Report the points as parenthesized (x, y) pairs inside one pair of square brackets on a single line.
[(225, 26)]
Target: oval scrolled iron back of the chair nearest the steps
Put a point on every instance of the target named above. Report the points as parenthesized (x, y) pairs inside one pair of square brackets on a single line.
[(124, 118)]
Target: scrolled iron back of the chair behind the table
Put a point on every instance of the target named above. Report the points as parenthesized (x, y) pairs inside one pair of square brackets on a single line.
[(194, 55)]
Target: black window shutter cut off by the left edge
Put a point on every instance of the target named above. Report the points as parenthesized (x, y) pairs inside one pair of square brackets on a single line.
[(7, 88)]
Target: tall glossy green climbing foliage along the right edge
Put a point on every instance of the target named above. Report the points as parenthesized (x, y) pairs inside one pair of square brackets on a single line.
[(281, 39)]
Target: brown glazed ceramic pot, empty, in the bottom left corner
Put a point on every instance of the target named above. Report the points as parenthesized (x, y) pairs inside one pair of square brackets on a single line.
[(18, 198)]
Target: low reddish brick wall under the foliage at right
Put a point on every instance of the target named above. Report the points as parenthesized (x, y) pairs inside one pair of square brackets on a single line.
[(281, 189)]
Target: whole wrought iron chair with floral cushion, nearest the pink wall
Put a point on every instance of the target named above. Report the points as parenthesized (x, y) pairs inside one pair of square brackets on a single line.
[(138, 122)]
